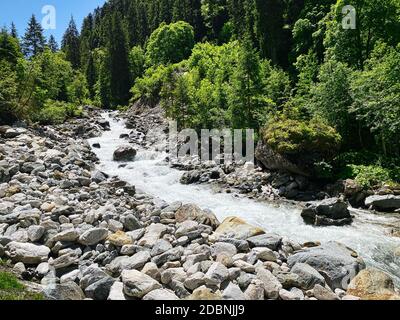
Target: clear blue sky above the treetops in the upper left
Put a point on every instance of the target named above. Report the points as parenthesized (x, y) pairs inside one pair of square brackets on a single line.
[(20, 11)]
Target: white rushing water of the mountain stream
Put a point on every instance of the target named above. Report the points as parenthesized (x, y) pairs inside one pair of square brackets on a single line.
[(149, 173)]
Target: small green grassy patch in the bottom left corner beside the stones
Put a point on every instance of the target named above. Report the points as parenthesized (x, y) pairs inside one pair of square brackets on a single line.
[(12, 289)]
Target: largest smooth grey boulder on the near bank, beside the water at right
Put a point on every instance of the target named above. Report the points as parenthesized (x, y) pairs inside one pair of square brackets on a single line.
[(337, 263)]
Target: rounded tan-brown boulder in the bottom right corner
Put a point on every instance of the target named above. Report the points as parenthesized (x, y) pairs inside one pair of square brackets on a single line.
[(372, 284)]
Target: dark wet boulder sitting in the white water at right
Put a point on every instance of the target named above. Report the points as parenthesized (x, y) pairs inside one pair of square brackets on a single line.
[(333, 211)]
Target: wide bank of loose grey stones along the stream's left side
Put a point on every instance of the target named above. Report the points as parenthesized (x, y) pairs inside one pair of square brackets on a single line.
[(80, 234)]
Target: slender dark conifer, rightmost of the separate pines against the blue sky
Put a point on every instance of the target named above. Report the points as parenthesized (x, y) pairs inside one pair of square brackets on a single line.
[(71, 44)]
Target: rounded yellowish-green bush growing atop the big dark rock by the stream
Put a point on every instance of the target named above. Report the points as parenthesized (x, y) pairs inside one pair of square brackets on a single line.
[(291, 137)]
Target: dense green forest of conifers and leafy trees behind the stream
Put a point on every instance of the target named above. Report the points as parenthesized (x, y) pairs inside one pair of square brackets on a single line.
[(286, 68)]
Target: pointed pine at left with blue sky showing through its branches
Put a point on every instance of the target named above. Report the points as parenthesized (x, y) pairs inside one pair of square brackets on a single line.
[(33, 41)]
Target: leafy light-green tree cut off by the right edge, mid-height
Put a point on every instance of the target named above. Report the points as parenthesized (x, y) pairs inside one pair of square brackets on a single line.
[(376, 94)]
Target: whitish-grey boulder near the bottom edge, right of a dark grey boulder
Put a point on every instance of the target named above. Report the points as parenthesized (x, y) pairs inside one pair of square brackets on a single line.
[(138, 284)]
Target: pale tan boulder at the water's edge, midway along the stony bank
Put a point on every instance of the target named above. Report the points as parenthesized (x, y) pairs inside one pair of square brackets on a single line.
[(237, 228)]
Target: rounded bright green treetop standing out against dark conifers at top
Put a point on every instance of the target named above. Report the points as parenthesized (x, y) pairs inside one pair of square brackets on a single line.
[(170, 43)]
